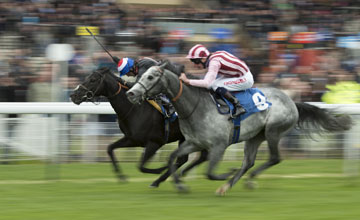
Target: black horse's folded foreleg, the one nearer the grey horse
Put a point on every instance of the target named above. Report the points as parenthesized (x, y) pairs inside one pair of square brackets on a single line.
[(150, 150)]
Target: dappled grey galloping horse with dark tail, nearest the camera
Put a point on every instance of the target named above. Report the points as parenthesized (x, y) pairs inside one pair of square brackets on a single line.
[(204, 128)]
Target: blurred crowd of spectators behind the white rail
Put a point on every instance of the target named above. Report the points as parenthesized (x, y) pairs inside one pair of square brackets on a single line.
[(304, 47)]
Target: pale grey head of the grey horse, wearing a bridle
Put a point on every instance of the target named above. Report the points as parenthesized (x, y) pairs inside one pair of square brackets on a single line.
[(148, 85)]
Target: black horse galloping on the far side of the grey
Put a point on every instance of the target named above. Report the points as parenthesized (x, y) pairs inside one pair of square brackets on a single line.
[(142, 125)]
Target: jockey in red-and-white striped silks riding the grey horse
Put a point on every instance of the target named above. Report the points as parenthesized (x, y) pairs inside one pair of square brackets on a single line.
[(225, 73)]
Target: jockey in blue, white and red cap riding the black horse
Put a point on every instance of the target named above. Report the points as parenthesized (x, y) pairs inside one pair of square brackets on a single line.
[(130, 67)]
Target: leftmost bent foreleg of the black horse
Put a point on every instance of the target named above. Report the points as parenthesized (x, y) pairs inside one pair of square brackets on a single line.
[(121, 143)]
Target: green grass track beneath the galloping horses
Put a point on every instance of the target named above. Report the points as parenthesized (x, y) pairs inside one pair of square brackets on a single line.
[(294, 189)]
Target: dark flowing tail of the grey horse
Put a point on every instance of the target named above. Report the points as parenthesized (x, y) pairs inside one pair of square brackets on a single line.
[(321, 120)]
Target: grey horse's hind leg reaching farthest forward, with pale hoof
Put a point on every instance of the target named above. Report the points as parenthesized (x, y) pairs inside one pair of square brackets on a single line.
[(250, 151)]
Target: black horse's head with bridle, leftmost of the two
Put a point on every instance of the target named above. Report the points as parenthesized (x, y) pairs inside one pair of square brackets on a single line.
[(93, 86)]
